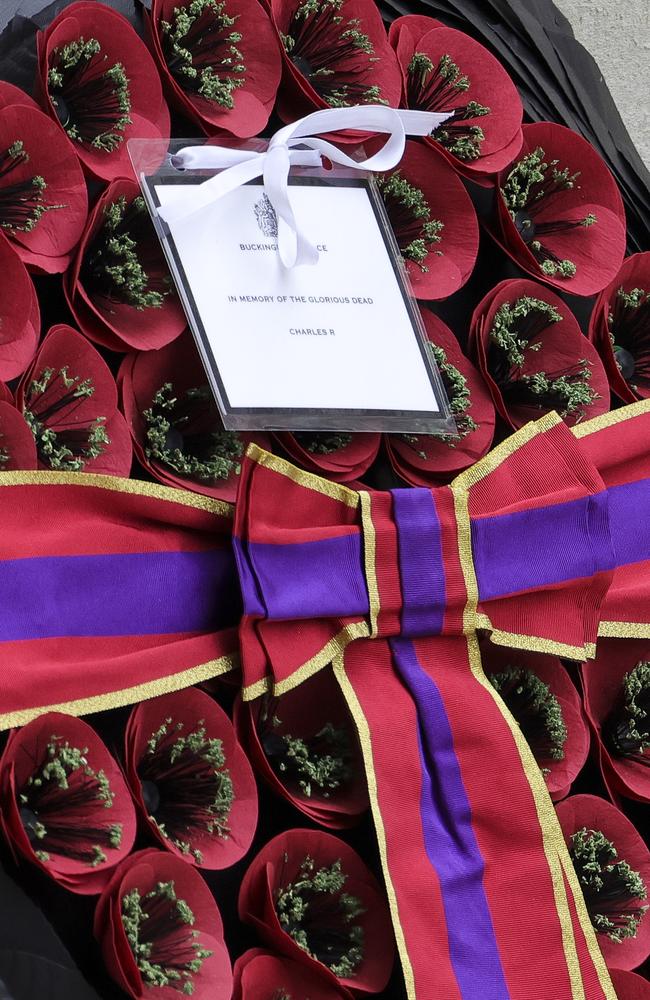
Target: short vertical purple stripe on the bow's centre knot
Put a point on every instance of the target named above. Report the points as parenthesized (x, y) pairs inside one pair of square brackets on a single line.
[(421, 569)]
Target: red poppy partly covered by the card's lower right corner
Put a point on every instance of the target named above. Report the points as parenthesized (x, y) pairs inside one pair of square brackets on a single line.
[(427, 459)]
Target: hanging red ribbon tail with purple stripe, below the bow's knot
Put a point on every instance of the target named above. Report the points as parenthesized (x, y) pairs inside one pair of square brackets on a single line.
[(472, 852)]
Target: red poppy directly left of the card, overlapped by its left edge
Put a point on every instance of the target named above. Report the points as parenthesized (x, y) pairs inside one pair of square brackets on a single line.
[(118, 286)]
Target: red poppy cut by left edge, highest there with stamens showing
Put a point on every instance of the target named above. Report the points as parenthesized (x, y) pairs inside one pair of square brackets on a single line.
[(43, 198)]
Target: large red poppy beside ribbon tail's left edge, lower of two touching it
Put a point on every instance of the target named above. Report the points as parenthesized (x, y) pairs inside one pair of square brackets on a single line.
[(344, 929)]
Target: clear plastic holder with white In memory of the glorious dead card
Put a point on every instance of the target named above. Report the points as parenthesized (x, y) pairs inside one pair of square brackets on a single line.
[(338, 345)]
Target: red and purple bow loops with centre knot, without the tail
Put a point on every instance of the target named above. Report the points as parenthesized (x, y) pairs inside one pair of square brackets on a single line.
[(519, 545)]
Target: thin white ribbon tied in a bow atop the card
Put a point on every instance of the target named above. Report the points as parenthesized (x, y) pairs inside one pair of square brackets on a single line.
[(238, 166)]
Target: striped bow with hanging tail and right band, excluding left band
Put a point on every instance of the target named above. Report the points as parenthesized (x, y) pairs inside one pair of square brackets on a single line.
[(539, 545)]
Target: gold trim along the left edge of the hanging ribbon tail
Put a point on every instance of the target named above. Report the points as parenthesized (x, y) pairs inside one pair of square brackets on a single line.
[(365, 740)]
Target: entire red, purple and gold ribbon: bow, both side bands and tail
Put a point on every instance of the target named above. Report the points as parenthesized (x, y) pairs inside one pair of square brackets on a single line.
[(113, 591)]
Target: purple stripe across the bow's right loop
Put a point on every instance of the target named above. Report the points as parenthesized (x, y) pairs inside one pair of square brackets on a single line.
[(540, 547)]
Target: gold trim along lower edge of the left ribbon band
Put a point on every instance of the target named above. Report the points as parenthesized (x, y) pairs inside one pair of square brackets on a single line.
[(126, 696)]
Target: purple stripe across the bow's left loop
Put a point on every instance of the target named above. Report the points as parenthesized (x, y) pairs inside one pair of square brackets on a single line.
[(323, 579)]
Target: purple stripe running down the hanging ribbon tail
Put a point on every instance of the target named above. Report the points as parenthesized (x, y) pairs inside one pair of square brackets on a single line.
[(449, 839)]
